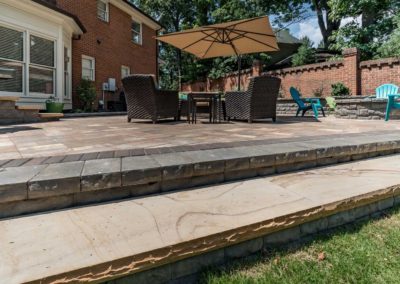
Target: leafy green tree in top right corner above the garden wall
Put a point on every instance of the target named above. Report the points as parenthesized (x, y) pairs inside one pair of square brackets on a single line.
[(372, 24)]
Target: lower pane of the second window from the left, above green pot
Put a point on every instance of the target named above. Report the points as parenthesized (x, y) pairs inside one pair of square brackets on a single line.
[(41, 80)]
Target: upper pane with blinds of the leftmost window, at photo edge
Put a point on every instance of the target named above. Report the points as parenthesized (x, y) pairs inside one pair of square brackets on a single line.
[(11, 44)]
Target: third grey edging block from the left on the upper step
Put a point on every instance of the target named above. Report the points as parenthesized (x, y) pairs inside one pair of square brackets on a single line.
[(101, 174)]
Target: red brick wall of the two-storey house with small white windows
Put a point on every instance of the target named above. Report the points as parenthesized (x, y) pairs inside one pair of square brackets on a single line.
[(111, 46)]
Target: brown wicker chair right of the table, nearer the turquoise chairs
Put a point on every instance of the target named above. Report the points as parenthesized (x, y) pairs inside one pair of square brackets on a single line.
[(258, 102)]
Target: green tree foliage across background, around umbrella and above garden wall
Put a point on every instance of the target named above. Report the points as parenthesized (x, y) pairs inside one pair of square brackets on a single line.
[(371, 30)]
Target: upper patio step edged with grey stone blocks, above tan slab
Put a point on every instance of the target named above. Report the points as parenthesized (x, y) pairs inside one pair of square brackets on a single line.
[(57, 184)]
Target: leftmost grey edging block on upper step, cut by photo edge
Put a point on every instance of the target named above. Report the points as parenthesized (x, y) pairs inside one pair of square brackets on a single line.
[(14, 182)]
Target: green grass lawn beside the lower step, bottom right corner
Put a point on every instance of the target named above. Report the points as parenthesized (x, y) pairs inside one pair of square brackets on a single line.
[(363, 252)]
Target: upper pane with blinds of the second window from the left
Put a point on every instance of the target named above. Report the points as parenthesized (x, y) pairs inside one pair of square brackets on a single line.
[(42, 51)]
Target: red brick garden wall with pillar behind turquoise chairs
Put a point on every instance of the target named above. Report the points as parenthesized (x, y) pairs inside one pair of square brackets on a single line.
[(361, 77)]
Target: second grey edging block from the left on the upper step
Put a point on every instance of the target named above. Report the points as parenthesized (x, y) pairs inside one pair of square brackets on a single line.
[(56, 179)]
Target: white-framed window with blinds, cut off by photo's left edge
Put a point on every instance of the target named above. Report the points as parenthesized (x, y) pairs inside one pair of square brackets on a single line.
[(12, 61)]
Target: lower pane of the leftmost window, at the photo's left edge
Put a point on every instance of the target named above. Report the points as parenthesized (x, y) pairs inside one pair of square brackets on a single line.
[(11, 76)]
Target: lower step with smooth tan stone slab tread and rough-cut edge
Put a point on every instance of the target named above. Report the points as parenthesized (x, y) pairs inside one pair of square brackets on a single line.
[(170, 238)]
